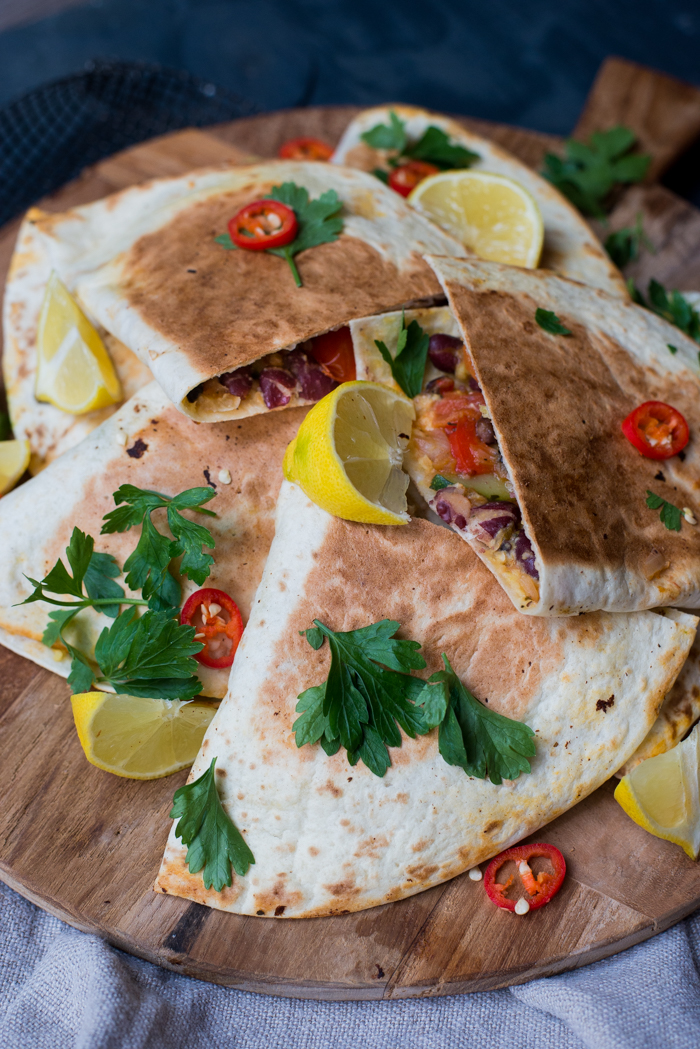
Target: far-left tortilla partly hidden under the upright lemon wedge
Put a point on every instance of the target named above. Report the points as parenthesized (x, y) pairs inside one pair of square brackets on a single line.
[(49, 431)]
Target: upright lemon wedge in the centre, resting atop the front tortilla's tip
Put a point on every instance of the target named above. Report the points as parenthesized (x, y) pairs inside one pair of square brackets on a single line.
[(348, 455)]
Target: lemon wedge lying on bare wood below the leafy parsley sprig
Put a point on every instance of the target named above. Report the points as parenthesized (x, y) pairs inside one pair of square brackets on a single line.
[(140, 739)]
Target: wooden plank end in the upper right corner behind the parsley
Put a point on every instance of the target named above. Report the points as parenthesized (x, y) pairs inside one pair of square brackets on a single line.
[(663, 112)]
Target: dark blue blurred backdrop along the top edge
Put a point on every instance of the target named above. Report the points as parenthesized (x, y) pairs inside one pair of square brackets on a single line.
[(528, 62)]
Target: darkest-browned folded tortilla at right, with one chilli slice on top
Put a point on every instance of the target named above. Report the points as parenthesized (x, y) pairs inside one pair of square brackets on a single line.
[(557, 404)]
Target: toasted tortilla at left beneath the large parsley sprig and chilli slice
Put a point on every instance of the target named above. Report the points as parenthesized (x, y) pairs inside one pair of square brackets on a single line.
[(151, 445)]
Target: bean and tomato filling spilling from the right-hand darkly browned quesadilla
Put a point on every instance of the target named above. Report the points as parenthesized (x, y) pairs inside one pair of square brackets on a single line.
[(454, 441)]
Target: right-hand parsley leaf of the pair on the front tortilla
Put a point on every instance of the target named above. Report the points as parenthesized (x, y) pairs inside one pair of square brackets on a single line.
[(472, 736)]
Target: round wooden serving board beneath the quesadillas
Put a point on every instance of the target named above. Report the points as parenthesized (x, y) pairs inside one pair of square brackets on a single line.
[(87, 846)]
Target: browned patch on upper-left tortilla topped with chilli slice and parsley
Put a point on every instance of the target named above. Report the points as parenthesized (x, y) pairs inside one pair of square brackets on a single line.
[(221, 317)]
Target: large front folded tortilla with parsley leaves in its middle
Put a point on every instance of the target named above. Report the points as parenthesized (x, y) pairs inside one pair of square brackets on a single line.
[(328, 838)]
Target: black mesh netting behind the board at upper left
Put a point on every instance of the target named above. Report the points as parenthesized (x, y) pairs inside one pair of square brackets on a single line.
[(51, 135)]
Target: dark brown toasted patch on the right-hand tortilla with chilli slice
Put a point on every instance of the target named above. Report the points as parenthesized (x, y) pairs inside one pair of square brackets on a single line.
[(574, 445)]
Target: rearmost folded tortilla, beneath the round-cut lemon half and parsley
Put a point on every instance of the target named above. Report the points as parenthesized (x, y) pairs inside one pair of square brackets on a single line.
[(570, 247)]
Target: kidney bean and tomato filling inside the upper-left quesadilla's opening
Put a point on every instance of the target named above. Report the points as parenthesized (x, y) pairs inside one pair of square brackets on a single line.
[(282, 380)]
